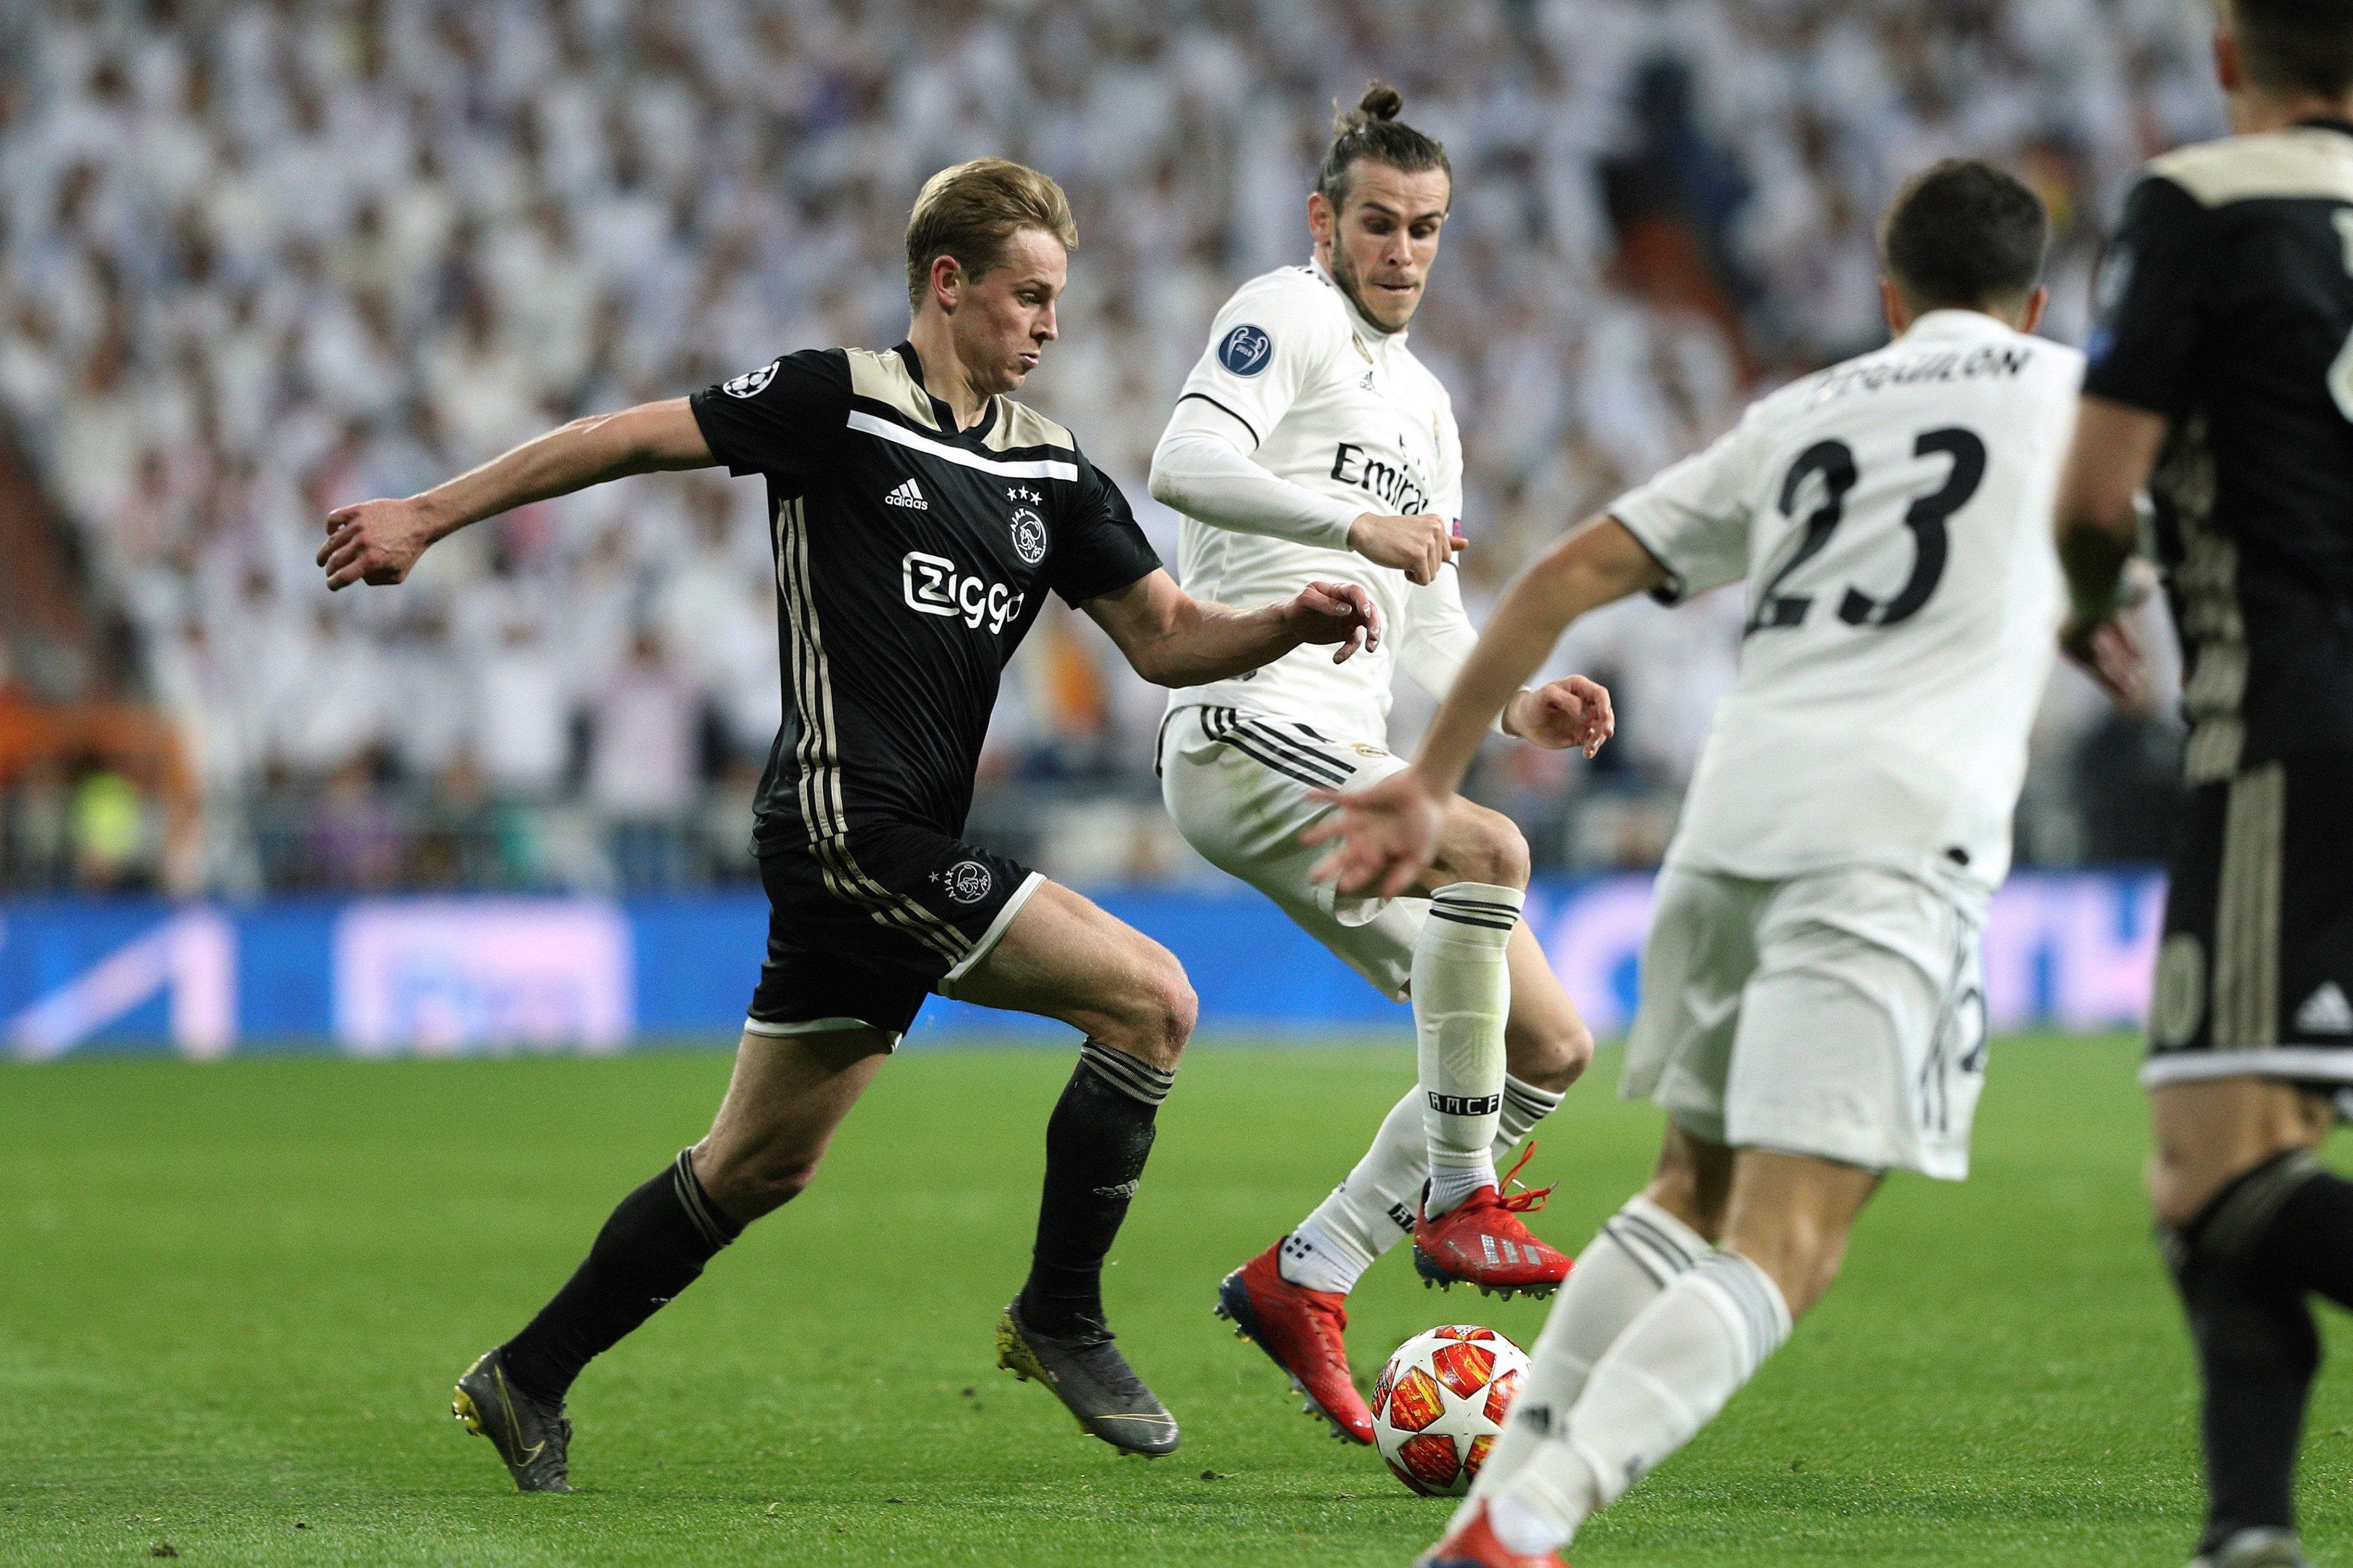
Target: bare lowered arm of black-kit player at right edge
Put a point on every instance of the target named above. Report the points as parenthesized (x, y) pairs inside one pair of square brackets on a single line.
[(2100, 526)]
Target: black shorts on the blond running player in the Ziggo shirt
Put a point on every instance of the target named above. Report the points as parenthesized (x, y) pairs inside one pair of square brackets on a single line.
[(862, 929)]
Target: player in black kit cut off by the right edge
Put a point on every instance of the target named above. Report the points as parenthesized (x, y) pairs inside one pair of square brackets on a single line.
[(2222, 378)]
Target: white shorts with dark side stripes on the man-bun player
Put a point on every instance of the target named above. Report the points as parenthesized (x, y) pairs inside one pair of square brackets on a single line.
[(1239, 790)]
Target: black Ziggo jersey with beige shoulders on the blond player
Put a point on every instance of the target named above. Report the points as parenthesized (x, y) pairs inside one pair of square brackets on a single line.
[(912, 559)]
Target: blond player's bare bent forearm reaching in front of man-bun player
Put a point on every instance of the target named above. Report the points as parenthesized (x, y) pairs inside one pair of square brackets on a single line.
[(1175, 639)]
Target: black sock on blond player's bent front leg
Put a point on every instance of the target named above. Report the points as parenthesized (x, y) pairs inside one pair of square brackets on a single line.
[(1095, 1150)]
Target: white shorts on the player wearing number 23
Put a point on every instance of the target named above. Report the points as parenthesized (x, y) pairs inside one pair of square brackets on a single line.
[(1839, 1016)]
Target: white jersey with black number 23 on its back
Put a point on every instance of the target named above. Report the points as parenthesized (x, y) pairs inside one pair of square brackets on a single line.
[(1893, 519)]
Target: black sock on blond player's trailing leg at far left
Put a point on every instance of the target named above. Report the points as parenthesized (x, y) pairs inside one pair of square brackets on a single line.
[(653, 1247)]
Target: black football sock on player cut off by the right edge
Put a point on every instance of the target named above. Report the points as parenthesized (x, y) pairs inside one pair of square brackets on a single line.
[(2244, 1270)]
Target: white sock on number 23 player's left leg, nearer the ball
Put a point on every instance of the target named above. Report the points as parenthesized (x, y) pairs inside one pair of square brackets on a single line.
[(1639, 1254)]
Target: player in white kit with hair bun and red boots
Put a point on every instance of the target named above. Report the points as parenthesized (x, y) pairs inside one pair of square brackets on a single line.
[(1309, 444)]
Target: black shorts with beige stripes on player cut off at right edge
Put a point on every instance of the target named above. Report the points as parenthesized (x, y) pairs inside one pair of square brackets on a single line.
[(2255, 974)]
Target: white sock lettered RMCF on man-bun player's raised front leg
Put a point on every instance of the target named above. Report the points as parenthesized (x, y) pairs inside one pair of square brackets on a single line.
[(1462, 997)]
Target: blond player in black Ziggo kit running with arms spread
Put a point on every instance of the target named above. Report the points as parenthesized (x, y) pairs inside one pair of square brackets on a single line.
[(919, 521)]
